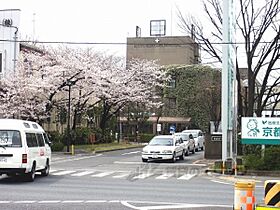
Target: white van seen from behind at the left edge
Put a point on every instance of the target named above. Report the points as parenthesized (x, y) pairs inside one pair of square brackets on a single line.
[(24, 149)]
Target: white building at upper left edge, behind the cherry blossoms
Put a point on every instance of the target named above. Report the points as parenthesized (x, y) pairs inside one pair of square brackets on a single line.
[(9, 45)]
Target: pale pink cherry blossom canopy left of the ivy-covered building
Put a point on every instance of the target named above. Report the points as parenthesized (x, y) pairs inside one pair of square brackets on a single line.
[(43, 81)]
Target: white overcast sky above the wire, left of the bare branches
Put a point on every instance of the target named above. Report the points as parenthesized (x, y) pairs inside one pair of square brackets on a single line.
[(96, 20)]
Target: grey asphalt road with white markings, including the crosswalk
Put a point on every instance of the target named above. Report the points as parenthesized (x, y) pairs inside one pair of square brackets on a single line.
[(119, 180)]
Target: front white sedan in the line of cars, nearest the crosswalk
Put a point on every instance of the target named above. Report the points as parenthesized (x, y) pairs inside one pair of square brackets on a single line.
[(163, 147)]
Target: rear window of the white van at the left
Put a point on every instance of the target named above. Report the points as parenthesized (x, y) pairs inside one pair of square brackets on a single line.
[(10, 138)]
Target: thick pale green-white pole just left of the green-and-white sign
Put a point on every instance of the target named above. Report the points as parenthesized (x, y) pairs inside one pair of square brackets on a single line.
[(228, 80)]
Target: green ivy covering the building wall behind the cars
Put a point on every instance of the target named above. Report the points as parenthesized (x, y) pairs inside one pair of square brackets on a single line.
[(197, 93)]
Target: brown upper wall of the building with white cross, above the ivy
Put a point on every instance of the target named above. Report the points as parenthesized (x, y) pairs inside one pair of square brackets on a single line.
[(167, 50)]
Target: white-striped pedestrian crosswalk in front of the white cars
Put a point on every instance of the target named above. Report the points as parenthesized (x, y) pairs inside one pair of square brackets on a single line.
[(121, 174)]
